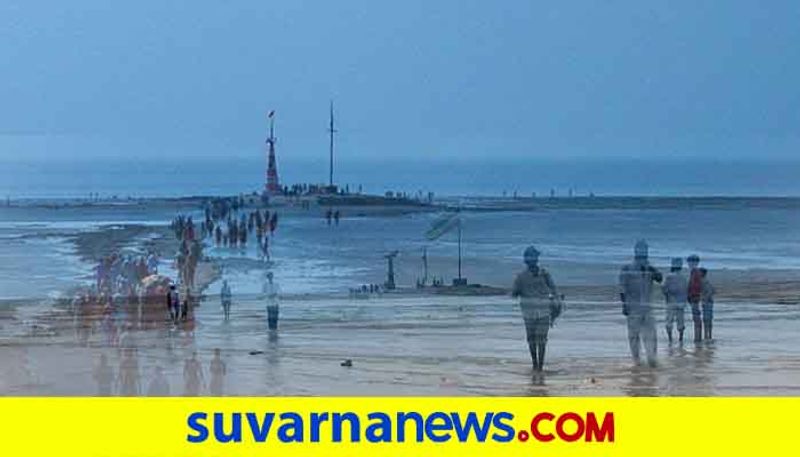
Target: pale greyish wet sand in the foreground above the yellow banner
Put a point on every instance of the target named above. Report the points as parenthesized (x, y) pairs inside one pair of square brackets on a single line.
[(406, 344)]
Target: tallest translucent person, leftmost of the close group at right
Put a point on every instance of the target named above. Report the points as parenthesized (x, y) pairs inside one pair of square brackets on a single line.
[(636, 285)]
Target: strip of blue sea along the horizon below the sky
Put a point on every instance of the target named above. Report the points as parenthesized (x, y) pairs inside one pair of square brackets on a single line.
[(230, 175)]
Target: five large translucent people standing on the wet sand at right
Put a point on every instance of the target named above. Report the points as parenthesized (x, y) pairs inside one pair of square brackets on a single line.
[(541, 303)]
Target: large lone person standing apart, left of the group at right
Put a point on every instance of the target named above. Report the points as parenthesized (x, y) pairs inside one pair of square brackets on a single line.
[(539, 302)]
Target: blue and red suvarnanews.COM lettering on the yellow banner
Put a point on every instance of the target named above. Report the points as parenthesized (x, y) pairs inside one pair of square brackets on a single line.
[(408, 426)]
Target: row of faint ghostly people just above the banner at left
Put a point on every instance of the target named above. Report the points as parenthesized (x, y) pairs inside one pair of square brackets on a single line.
[(127, 381)]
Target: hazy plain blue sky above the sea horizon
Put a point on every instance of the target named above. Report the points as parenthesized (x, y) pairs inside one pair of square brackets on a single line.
[(437, 78)]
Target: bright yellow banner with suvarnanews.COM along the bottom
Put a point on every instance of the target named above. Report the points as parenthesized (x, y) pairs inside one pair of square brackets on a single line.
[(331, 427)]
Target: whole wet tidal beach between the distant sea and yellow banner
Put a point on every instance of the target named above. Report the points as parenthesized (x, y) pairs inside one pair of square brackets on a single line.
[(409, 341)]
